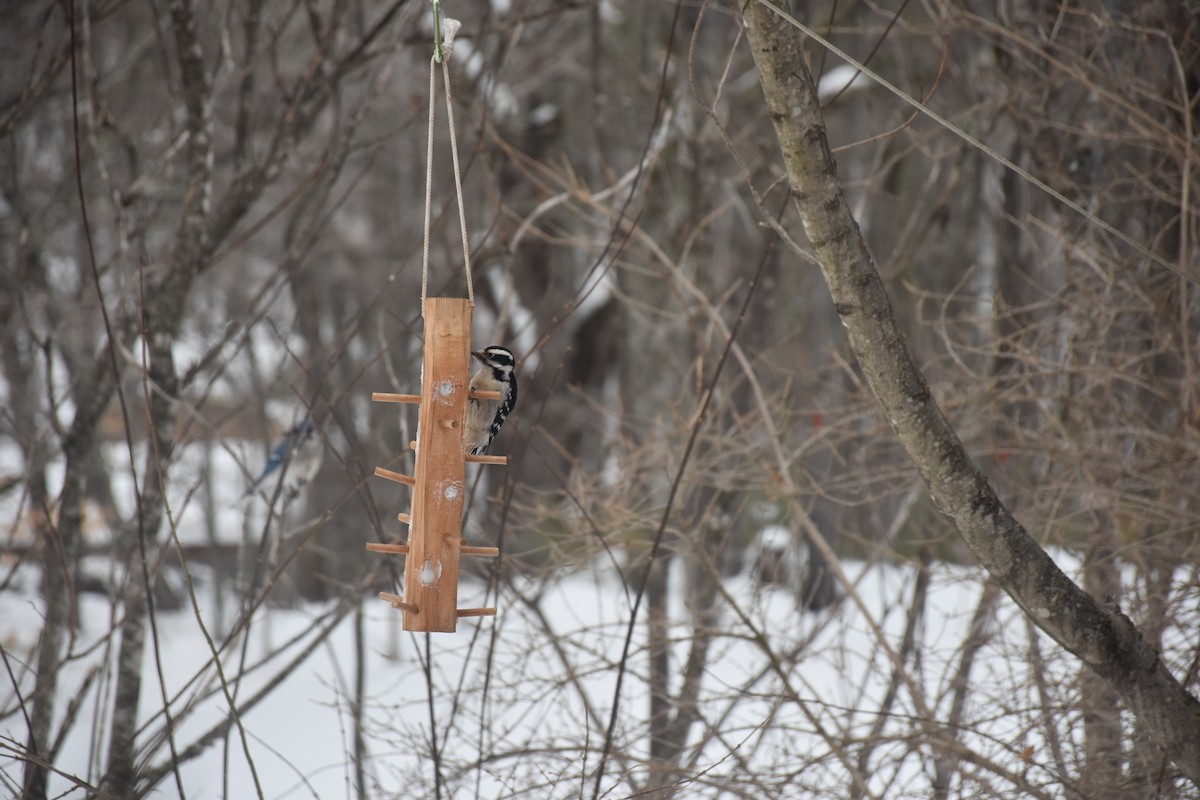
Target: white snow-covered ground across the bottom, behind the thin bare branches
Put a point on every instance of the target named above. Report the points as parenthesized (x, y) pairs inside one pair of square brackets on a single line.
[(520, 702)]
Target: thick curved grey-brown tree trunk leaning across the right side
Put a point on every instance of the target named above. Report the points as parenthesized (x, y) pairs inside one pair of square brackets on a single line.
[(1106, 641)]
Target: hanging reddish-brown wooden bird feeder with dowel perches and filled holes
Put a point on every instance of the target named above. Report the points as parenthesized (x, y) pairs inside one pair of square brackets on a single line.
[(435, 526)]
